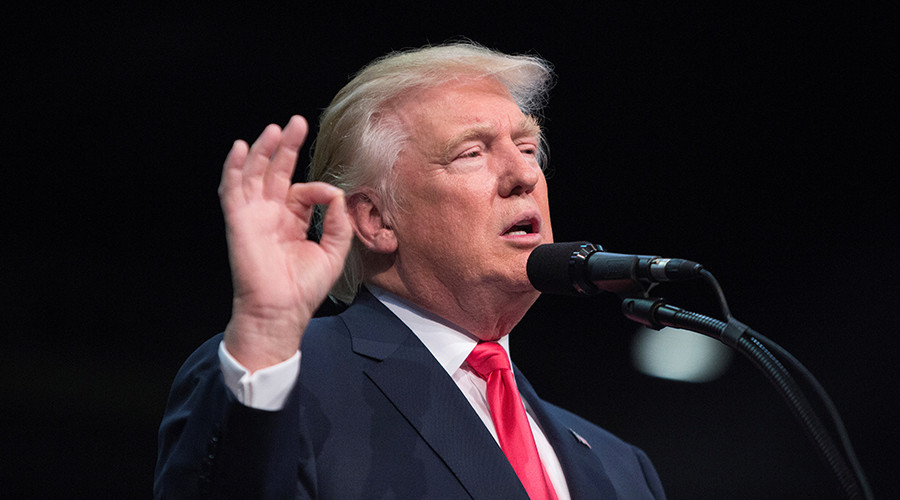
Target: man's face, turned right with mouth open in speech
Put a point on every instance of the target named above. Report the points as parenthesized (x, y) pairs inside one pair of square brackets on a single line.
[(472, 196)]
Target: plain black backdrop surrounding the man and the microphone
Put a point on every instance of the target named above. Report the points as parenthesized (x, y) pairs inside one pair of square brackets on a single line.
[(753, 139)]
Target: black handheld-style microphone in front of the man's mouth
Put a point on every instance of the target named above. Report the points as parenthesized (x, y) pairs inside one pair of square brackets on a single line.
[(582, 268)]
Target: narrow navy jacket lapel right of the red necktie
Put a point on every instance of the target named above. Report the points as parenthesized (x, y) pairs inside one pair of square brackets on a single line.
[(585, 474)]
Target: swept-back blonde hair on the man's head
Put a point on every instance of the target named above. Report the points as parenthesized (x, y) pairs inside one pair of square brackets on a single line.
[(358, 143)]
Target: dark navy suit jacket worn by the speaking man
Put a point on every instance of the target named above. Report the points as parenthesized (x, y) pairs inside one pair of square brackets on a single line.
[(373, 415)]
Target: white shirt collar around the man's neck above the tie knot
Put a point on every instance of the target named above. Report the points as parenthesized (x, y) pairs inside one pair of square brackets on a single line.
[(449, 343)]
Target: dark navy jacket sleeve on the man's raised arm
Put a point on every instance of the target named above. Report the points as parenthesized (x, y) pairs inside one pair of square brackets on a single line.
[(212, 446)]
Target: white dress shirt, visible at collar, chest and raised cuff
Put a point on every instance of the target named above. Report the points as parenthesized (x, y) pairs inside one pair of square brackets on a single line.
[(268, 388)]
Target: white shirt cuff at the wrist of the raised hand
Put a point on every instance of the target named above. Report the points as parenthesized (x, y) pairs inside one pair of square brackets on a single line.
[(265, 389)]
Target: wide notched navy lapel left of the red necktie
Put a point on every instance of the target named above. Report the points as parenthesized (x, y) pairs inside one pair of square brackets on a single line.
[(420, 389)]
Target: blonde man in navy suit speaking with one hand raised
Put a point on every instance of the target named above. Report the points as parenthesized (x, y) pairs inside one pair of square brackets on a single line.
[(432, 168)]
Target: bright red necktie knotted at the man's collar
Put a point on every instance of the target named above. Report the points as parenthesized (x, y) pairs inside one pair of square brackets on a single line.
[(491, 363)]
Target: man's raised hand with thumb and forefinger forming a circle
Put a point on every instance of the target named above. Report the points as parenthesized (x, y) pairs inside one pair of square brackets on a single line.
[(280, 277)]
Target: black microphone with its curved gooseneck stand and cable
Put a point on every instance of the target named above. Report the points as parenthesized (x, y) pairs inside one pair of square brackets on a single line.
[(582, 268)]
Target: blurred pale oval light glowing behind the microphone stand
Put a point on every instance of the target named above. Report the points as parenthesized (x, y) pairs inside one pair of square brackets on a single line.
[(676, 354)]
